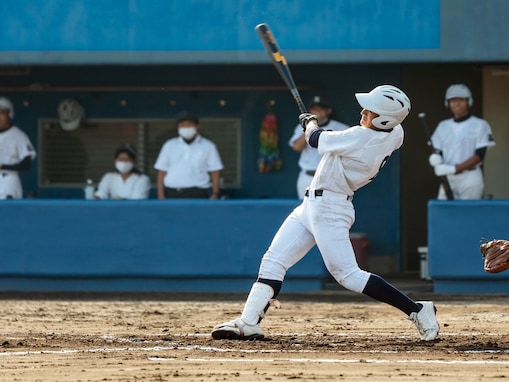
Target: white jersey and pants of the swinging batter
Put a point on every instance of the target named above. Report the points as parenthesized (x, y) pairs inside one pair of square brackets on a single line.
[(351, 159)]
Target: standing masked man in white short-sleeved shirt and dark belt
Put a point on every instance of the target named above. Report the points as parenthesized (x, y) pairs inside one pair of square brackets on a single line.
[(188, 165)]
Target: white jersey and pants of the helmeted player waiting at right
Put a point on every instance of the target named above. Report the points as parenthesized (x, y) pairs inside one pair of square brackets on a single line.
[(458, 141)]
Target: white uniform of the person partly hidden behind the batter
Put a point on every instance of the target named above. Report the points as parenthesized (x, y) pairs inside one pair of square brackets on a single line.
[(309, 156)]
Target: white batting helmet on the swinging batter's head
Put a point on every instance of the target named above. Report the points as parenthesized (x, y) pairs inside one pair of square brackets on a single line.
[(389, 102)]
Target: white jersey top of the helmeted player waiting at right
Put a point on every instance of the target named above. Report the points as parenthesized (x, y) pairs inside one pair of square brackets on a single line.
[(459, 140)]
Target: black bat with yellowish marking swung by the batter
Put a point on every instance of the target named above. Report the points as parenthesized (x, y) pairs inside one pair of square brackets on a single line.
[(279, 61)]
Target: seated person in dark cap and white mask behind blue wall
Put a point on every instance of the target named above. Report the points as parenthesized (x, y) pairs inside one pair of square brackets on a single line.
[(127, 182)]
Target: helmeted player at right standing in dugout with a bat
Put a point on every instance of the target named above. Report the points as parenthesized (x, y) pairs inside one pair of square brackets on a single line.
[(462, 141)]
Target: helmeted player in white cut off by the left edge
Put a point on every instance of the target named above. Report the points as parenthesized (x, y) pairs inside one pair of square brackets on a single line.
[(16, 153)]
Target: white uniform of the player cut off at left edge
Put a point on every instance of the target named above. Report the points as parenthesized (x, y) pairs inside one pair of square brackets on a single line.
[(14, 147)]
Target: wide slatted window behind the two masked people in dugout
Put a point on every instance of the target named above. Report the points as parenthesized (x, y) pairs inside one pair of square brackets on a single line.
[(68, 158)]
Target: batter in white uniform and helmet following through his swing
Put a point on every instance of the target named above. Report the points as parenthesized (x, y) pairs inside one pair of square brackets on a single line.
[(351, 159)]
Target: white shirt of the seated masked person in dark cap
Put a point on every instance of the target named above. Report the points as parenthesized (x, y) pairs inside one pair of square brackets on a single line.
[(112, 186)]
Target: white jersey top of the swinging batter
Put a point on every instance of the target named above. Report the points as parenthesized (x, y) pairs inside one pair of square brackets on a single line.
[(353, 157)]
